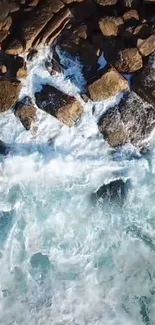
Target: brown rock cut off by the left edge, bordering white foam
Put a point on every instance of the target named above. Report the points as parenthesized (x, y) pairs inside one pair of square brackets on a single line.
[(9, 92)]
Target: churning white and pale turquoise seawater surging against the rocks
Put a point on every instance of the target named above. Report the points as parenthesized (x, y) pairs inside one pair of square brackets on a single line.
[(65, 260)]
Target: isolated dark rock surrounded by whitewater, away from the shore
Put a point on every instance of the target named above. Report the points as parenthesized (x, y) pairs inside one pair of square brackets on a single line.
[(115, 191)]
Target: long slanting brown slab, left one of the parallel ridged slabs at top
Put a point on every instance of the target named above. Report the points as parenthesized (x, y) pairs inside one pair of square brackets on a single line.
[(32, 27)]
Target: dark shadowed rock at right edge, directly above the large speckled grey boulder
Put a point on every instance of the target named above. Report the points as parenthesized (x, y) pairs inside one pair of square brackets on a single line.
[(144, 82)]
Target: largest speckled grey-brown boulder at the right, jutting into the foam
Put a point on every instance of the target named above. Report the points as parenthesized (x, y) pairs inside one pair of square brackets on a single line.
[(131, 121)]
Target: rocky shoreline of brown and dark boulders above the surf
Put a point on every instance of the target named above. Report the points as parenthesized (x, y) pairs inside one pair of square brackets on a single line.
[(123, 31)]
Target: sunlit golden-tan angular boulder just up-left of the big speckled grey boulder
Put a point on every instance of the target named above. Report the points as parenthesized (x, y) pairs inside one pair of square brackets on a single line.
[(107, 84)]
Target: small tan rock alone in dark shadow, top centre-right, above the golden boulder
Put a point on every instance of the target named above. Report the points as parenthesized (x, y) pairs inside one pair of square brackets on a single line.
[(110, 25)]
